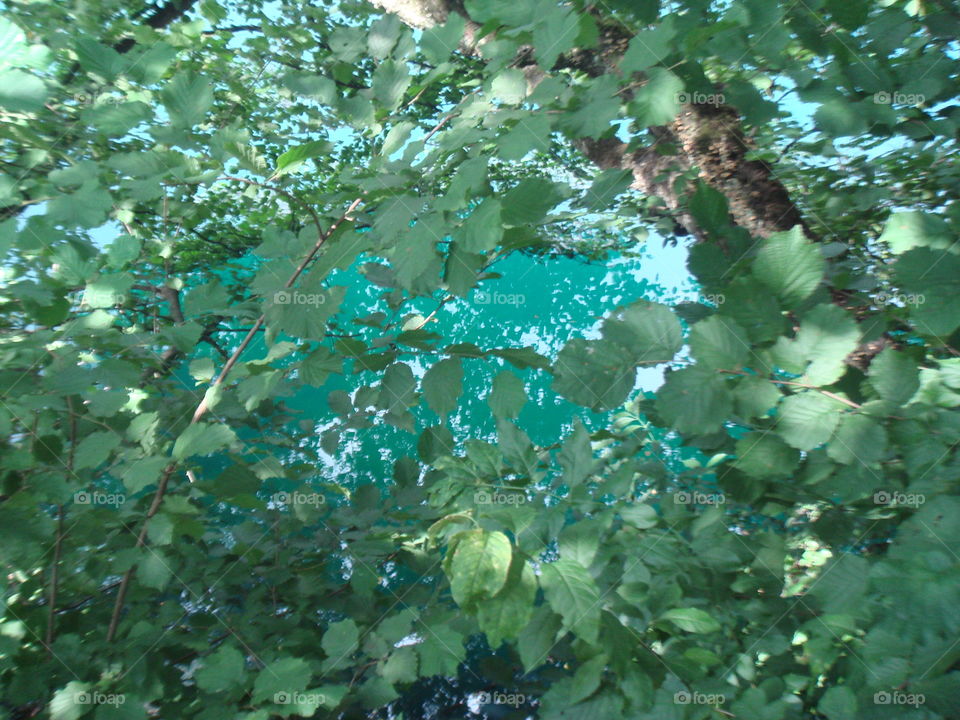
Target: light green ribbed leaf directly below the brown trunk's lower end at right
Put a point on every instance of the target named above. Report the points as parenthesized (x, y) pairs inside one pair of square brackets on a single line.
[(790, 266)]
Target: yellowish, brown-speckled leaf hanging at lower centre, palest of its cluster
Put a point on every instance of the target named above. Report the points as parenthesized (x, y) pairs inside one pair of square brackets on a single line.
[(480, 566)]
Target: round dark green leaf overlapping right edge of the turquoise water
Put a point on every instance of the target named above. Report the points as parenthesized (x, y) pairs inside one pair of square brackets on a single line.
[(596, 374)]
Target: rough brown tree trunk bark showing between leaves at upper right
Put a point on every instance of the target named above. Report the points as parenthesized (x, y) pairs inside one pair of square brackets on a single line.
[(709, 138)]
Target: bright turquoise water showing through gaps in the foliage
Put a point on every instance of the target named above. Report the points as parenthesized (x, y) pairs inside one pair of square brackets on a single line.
[(536, 302)]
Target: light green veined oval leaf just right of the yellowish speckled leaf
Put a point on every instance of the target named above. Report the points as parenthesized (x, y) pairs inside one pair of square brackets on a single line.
[(573, 594)]
